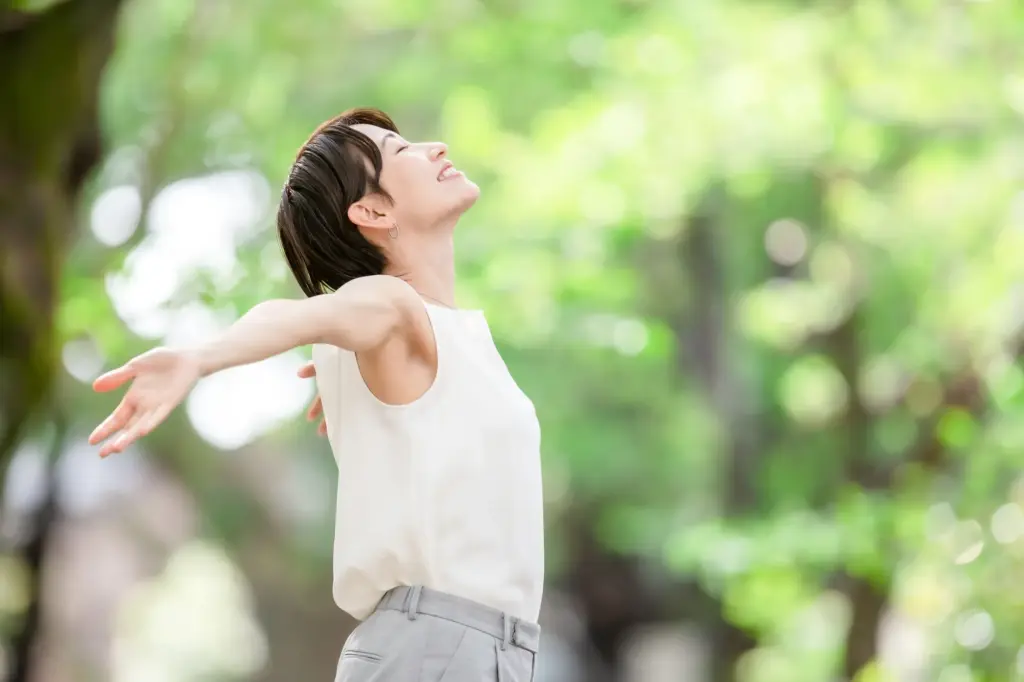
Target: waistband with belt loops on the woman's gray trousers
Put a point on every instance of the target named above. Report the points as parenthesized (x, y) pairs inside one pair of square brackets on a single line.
[(507, 629)]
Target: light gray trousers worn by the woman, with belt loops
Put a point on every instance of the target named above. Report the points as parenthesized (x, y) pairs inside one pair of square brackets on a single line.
[(421, 635)]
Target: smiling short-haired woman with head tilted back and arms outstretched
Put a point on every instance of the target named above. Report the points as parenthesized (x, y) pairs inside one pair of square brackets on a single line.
[(439, 539)]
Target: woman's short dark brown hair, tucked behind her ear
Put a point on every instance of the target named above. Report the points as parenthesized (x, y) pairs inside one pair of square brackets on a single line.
[(334, 169)]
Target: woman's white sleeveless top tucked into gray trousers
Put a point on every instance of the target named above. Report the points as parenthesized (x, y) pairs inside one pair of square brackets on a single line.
[(444, 492)]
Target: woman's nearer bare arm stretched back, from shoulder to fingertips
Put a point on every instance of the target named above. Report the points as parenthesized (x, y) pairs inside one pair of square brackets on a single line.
[(360, 317)]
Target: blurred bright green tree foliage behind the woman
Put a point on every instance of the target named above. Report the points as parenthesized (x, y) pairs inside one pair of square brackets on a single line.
[(757, 264)]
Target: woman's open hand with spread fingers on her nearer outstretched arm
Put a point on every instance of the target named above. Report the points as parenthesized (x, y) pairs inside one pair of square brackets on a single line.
[(160, 381)]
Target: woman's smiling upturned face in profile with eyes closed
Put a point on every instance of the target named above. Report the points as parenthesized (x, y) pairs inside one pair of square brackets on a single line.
[(428, 192)]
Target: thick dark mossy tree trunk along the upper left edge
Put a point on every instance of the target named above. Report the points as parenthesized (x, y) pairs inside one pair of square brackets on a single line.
[(50, 142)]
